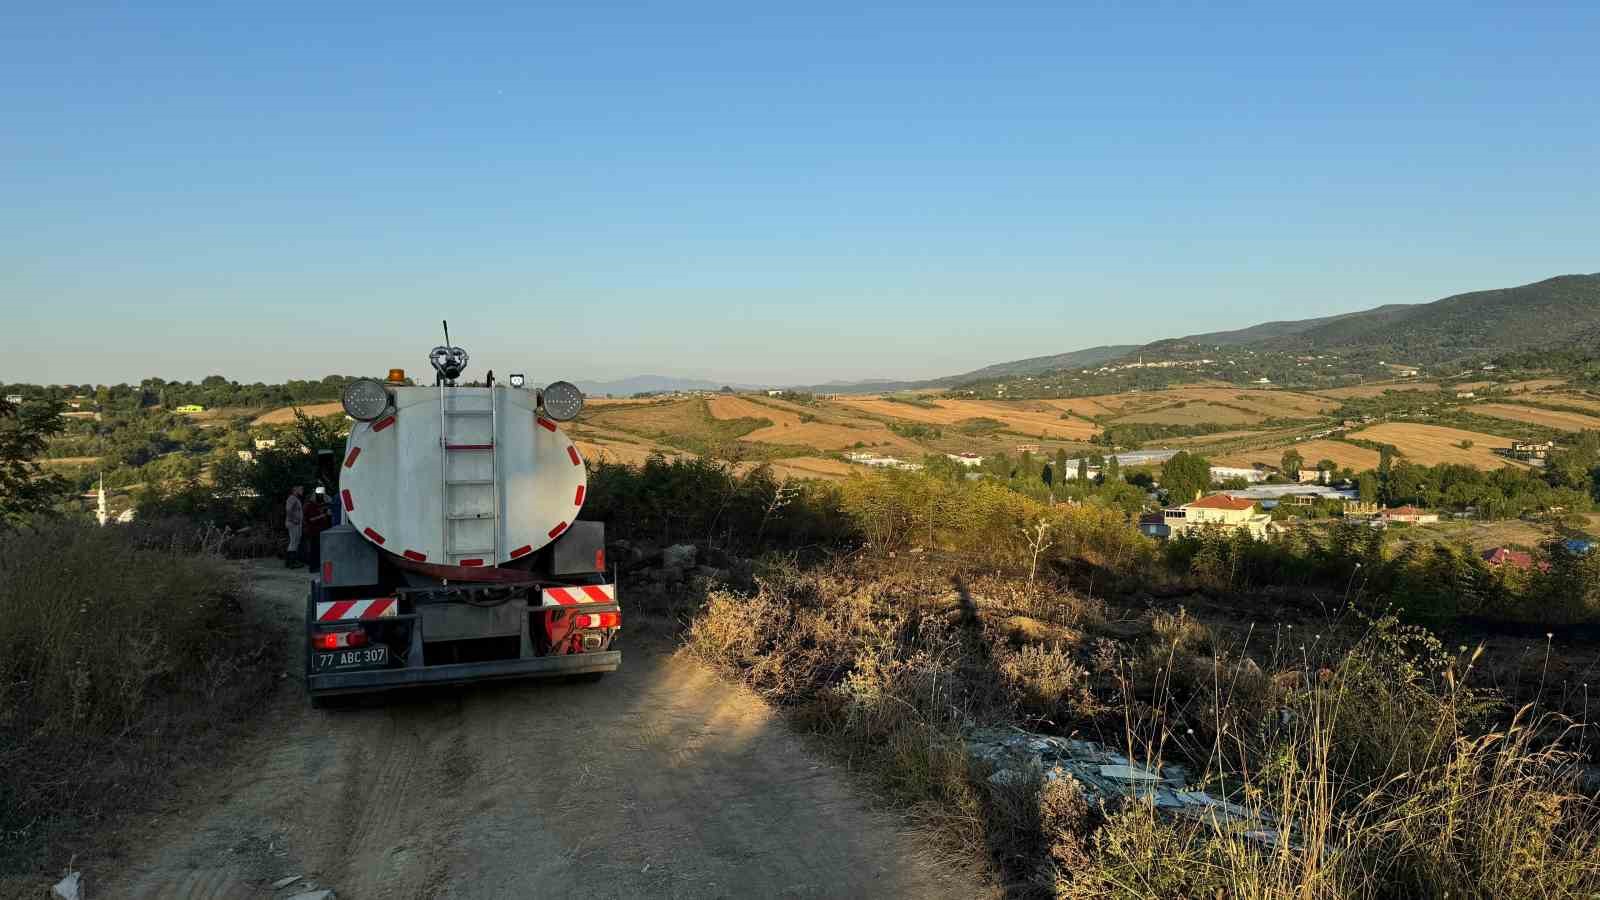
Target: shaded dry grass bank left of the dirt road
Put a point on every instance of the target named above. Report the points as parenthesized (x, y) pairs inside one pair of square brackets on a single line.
[(124, 657)]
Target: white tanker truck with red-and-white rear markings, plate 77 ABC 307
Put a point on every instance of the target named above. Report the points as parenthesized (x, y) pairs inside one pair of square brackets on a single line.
[(460, 555)]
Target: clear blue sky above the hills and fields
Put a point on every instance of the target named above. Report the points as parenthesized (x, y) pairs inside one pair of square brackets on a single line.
[(593, 191)]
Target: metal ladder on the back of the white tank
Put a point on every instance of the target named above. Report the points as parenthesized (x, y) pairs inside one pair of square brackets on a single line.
[(470, 476)]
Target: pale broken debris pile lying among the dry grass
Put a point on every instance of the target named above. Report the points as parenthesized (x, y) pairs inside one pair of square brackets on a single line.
[(1111, 779)]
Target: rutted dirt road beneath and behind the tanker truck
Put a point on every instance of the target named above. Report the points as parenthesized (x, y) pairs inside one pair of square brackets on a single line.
[(662, 781)]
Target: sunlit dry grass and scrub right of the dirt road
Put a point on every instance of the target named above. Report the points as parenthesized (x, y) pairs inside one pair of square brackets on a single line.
[(1380, 773)]
